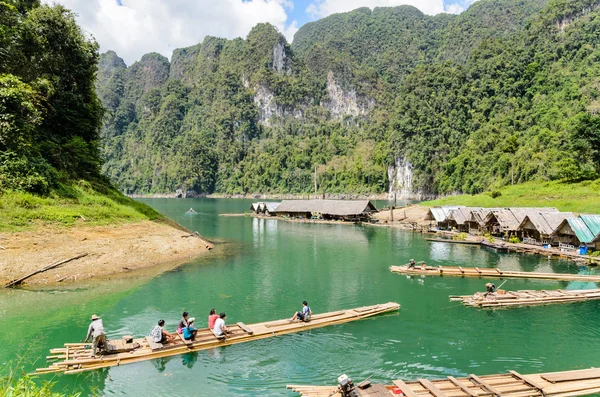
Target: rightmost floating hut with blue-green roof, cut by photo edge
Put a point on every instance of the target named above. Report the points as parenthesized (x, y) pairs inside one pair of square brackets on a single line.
[(583, 230)]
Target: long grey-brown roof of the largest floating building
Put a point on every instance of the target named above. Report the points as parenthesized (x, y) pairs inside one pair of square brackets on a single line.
[(327, 207)]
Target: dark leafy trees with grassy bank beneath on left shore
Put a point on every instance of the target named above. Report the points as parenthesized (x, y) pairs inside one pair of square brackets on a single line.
[(50, 122)]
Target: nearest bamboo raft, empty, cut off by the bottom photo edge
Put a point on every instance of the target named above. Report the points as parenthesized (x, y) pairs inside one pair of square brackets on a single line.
[(512, 384)]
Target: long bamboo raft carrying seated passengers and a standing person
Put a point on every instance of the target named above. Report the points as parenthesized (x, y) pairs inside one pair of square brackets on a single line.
[(76, 357)]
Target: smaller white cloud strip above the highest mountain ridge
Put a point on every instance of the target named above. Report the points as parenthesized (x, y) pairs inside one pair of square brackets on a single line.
[(323, 8)]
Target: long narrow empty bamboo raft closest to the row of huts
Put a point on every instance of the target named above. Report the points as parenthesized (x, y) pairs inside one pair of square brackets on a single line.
[(459, 271)]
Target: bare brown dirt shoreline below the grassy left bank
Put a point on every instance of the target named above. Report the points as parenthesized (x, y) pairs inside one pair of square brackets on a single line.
[(116, 251)]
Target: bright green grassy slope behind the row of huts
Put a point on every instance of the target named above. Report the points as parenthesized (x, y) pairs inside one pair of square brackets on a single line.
[(583, 197)]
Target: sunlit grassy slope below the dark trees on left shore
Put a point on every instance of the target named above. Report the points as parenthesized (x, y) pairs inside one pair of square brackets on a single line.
[(99, 204)]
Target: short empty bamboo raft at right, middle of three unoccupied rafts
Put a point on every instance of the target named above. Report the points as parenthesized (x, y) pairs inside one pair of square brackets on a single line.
[(526, 297)]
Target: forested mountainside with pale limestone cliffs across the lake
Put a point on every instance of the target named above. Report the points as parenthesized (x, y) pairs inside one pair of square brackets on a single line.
[(503, 93)]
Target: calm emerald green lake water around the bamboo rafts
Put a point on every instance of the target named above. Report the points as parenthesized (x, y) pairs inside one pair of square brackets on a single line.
[(262, 270)]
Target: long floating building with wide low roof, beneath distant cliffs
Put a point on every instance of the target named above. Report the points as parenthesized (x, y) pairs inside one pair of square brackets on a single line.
[(344, 210)]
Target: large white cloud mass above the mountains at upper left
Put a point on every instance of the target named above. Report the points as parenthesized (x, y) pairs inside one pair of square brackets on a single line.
[(141, 26)]
